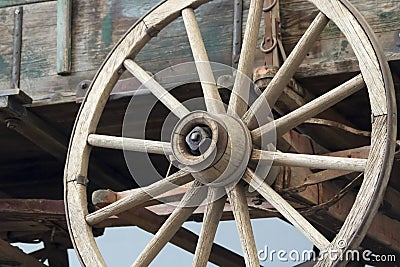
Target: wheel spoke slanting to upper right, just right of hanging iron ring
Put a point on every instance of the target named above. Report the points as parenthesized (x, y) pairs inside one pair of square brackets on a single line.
[(289, 67)]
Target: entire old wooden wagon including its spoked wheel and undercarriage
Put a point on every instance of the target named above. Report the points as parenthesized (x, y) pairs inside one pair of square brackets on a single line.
[(325, 149)]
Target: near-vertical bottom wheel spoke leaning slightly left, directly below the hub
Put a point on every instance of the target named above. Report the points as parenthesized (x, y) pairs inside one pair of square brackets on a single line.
[(212, 216)]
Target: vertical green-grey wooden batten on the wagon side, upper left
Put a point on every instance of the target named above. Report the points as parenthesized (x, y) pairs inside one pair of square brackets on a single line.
[(64, 14)]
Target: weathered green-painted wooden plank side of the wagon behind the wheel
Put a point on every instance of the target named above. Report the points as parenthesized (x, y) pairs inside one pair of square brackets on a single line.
[(98, 25)]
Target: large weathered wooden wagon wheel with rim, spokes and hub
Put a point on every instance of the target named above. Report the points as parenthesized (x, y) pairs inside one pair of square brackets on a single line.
[(374, 75)]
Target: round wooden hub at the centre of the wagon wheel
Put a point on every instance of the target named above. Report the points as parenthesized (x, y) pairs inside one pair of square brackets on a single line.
[(214, 148)]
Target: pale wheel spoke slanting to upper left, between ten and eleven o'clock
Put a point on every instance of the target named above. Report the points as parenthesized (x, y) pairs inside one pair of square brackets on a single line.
[(156, 89)]
